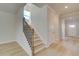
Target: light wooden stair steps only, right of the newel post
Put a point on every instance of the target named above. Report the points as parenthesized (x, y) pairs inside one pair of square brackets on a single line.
[(38, 45)]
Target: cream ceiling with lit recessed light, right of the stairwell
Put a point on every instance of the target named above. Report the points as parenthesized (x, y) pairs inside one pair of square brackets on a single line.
[(60, 7)]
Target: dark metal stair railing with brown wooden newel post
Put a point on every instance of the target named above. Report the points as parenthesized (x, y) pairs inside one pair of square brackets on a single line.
[(29, 33)]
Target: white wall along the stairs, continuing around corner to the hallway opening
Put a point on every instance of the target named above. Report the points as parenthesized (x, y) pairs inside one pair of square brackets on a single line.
[(44, 20)]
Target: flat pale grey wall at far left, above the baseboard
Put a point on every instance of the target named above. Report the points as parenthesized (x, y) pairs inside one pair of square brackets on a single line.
[(7, 27)]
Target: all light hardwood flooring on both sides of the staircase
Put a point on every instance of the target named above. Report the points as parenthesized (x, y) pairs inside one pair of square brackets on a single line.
[(56, 49)]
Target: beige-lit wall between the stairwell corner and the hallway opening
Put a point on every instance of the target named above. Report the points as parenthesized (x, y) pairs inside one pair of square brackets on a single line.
[(53, 20)]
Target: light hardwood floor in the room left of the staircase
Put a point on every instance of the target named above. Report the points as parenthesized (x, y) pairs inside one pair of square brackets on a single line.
[(11, 49)]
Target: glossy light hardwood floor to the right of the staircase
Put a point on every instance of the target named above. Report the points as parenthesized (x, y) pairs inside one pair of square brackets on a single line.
[(58, 49)]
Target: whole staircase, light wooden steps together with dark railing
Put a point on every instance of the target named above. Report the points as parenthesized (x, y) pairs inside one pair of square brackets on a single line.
[(32, 38)]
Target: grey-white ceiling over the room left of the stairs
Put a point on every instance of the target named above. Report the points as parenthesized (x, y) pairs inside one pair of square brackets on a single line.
[(10, 7)]
